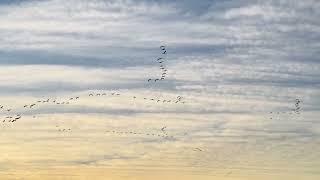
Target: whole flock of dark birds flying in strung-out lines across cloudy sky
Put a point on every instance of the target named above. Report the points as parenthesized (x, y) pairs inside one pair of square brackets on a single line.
[(161, 61)]
